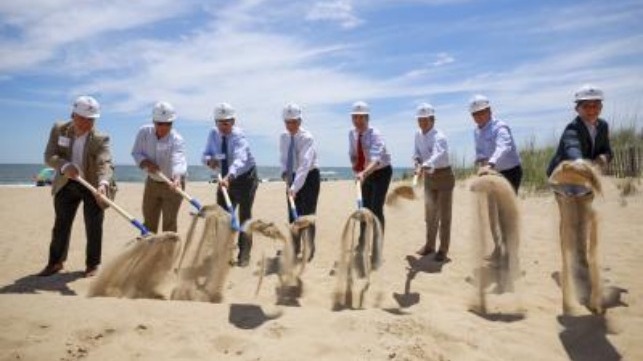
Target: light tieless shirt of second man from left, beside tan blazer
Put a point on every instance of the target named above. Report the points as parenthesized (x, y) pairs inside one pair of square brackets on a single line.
[(167, 152)]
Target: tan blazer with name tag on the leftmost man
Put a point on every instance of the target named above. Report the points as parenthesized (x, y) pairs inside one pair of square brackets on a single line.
[(97, 158)]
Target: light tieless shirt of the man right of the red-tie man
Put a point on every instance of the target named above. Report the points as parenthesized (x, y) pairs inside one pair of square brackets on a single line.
[(431, 149)]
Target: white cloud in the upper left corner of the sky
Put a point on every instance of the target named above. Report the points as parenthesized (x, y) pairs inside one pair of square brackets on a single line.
[(42, 27)]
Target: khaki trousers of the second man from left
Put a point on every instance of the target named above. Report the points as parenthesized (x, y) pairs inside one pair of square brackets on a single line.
[(159, 198)]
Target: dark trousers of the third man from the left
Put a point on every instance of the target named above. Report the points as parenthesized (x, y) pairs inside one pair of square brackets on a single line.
[(242, 194)]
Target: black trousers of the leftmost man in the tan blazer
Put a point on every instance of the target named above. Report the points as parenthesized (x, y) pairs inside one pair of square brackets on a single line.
[(66, 203)]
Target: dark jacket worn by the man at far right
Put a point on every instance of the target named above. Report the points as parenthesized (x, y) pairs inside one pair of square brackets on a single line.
[(575, 143)]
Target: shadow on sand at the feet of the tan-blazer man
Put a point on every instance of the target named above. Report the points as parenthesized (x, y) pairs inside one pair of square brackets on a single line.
[(55, 283)]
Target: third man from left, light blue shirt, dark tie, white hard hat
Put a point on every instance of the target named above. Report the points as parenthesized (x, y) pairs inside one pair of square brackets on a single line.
[(228, 150)]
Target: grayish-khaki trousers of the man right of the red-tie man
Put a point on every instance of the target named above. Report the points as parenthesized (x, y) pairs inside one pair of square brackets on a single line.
[(438, 200)]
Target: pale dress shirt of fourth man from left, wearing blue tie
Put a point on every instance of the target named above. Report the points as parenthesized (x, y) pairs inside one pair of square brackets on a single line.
[(305, 158)]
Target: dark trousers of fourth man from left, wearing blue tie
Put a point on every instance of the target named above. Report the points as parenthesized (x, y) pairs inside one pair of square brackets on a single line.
[(306, 204)]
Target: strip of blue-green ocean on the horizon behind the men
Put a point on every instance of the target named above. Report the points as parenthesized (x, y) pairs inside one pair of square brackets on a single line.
[(23, 174)]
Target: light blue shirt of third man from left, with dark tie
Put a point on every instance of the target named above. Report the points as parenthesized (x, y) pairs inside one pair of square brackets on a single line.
[(240, 159)]
